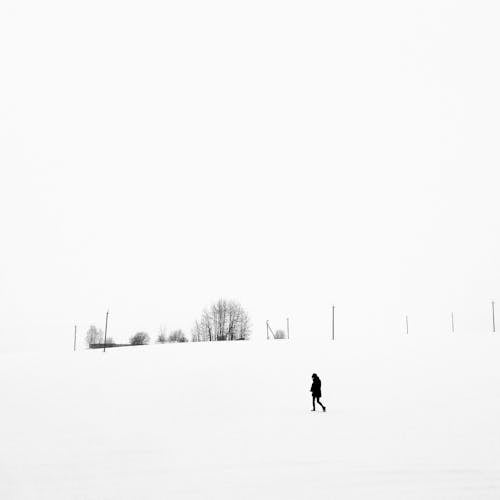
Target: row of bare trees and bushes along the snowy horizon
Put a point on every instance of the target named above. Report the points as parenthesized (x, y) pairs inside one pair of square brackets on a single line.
[(223, 320)]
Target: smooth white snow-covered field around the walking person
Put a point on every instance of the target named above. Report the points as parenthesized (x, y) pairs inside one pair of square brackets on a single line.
[(409, 418)]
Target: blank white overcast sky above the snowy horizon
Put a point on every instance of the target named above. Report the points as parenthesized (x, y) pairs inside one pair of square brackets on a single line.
[(157, 155)]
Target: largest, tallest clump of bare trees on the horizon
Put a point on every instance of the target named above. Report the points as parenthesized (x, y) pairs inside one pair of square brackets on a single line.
[(225, 320)]
